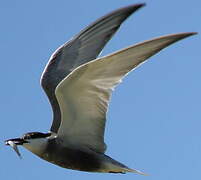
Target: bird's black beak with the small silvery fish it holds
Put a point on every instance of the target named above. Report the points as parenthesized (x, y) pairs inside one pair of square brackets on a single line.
[(14, 142)]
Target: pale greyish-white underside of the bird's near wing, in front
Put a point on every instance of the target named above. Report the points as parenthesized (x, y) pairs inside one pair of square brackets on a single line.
[(84, 94)]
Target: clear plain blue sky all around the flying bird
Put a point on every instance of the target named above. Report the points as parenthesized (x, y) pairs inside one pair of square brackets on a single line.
[(154, 118)]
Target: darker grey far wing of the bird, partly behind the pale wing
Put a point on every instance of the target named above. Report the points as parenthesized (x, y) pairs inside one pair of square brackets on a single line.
[(83, 48)]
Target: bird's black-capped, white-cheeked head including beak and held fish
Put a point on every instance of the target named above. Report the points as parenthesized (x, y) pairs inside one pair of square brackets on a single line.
[(33, 141)]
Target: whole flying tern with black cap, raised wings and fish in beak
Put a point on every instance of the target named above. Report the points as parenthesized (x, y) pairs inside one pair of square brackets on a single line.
[(79, 85)]
